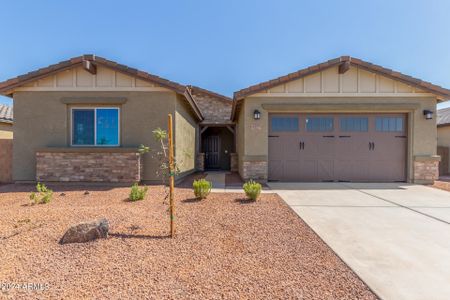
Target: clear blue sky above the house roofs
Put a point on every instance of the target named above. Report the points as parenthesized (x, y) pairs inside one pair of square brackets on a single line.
[(228, 45)]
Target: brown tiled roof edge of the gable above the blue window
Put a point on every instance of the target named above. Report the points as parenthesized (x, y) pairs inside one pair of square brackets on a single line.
[(7, 87)]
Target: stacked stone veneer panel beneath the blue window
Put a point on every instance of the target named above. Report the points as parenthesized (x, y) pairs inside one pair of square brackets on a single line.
[(82, 165)]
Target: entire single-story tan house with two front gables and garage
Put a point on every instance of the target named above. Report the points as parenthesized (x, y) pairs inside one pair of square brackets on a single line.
[(342, 120)]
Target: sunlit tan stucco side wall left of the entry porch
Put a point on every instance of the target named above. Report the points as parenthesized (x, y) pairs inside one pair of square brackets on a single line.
[(185, 137)]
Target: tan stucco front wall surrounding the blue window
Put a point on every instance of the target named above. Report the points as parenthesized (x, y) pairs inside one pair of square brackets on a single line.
[(42, 120)]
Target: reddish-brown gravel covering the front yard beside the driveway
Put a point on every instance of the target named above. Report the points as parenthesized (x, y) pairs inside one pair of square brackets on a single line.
[(225, 247)]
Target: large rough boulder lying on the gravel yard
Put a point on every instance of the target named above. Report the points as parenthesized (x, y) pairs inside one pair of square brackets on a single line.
[(85, 232)]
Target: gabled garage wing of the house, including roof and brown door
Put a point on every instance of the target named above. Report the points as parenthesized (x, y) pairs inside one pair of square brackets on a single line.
[(342, 120)]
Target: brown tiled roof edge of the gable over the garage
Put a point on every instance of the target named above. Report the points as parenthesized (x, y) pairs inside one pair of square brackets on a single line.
[(345, 62)]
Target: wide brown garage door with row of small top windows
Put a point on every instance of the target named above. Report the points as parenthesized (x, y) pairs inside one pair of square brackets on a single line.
[(337, 147)]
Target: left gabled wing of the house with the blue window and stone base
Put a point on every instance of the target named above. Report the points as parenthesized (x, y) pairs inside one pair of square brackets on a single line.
[(83, 120)]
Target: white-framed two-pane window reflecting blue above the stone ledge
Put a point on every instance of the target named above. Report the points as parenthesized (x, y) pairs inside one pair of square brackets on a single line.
[(95, 126)]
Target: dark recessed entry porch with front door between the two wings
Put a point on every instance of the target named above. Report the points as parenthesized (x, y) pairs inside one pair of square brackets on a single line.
[(217, 146)]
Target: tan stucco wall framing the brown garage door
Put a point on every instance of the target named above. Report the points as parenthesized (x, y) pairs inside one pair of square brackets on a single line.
[(253, 134)]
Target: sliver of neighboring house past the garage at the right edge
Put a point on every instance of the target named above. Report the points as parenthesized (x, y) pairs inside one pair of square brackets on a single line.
[(443, 129)]
